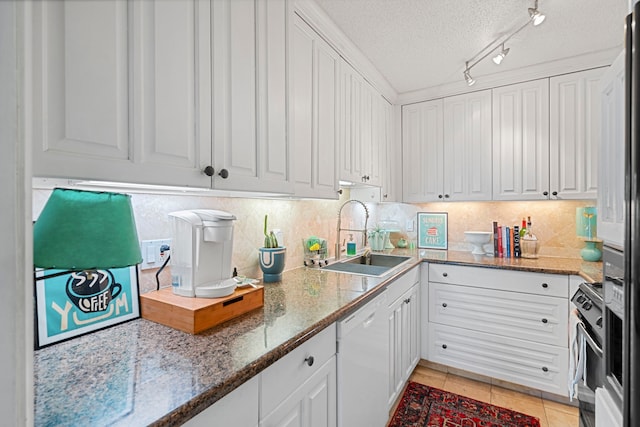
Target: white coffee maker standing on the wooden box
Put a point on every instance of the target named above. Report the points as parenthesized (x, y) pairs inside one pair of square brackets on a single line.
[(201, 249)]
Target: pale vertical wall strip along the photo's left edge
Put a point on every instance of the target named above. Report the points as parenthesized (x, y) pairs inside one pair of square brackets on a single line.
[(16, 355)]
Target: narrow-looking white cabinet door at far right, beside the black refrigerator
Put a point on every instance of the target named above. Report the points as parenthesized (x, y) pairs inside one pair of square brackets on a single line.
[(611, 162)]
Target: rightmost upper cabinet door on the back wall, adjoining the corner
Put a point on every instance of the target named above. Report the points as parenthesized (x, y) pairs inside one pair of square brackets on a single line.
[(574, 134)]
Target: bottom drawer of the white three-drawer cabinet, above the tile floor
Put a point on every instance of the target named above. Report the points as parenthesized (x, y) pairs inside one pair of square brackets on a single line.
[(541, 366)]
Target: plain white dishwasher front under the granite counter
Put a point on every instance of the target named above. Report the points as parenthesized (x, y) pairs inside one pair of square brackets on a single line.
[(363, 366)]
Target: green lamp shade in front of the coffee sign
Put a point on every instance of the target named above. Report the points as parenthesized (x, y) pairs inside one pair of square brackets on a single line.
[(82, 230)]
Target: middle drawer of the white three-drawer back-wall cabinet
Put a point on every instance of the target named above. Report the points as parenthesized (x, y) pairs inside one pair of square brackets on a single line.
[(529, 317)]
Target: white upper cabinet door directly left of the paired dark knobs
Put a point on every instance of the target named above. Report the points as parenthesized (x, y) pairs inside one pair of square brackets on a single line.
[(171, 92)]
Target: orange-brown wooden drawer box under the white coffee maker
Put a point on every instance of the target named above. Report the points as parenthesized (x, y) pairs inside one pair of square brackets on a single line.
[(194, 315)]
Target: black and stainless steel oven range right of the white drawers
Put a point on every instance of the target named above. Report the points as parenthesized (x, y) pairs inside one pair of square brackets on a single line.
[(588, 300)]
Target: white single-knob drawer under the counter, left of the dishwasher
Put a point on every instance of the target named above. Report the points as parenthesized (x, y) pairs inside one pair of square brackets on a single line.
[(283, 377)]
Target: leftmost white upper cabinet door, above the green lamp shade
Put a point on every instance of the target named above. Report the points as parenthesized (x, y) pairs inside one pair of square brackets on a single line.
[(80, 86)]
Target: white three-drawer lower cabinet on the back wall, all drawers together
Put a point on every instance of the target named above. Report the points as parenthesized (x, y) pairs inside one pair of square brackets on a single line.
[(504, 324)]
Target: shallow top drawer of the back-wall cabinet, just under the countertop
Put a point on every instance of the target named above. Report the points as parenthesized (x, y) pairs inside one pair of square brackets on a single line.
[(556, 285)]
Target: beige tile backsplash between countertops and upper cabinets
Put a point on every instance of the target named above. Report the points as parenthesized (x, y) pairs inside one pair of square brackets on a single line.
[(553, 222)]
